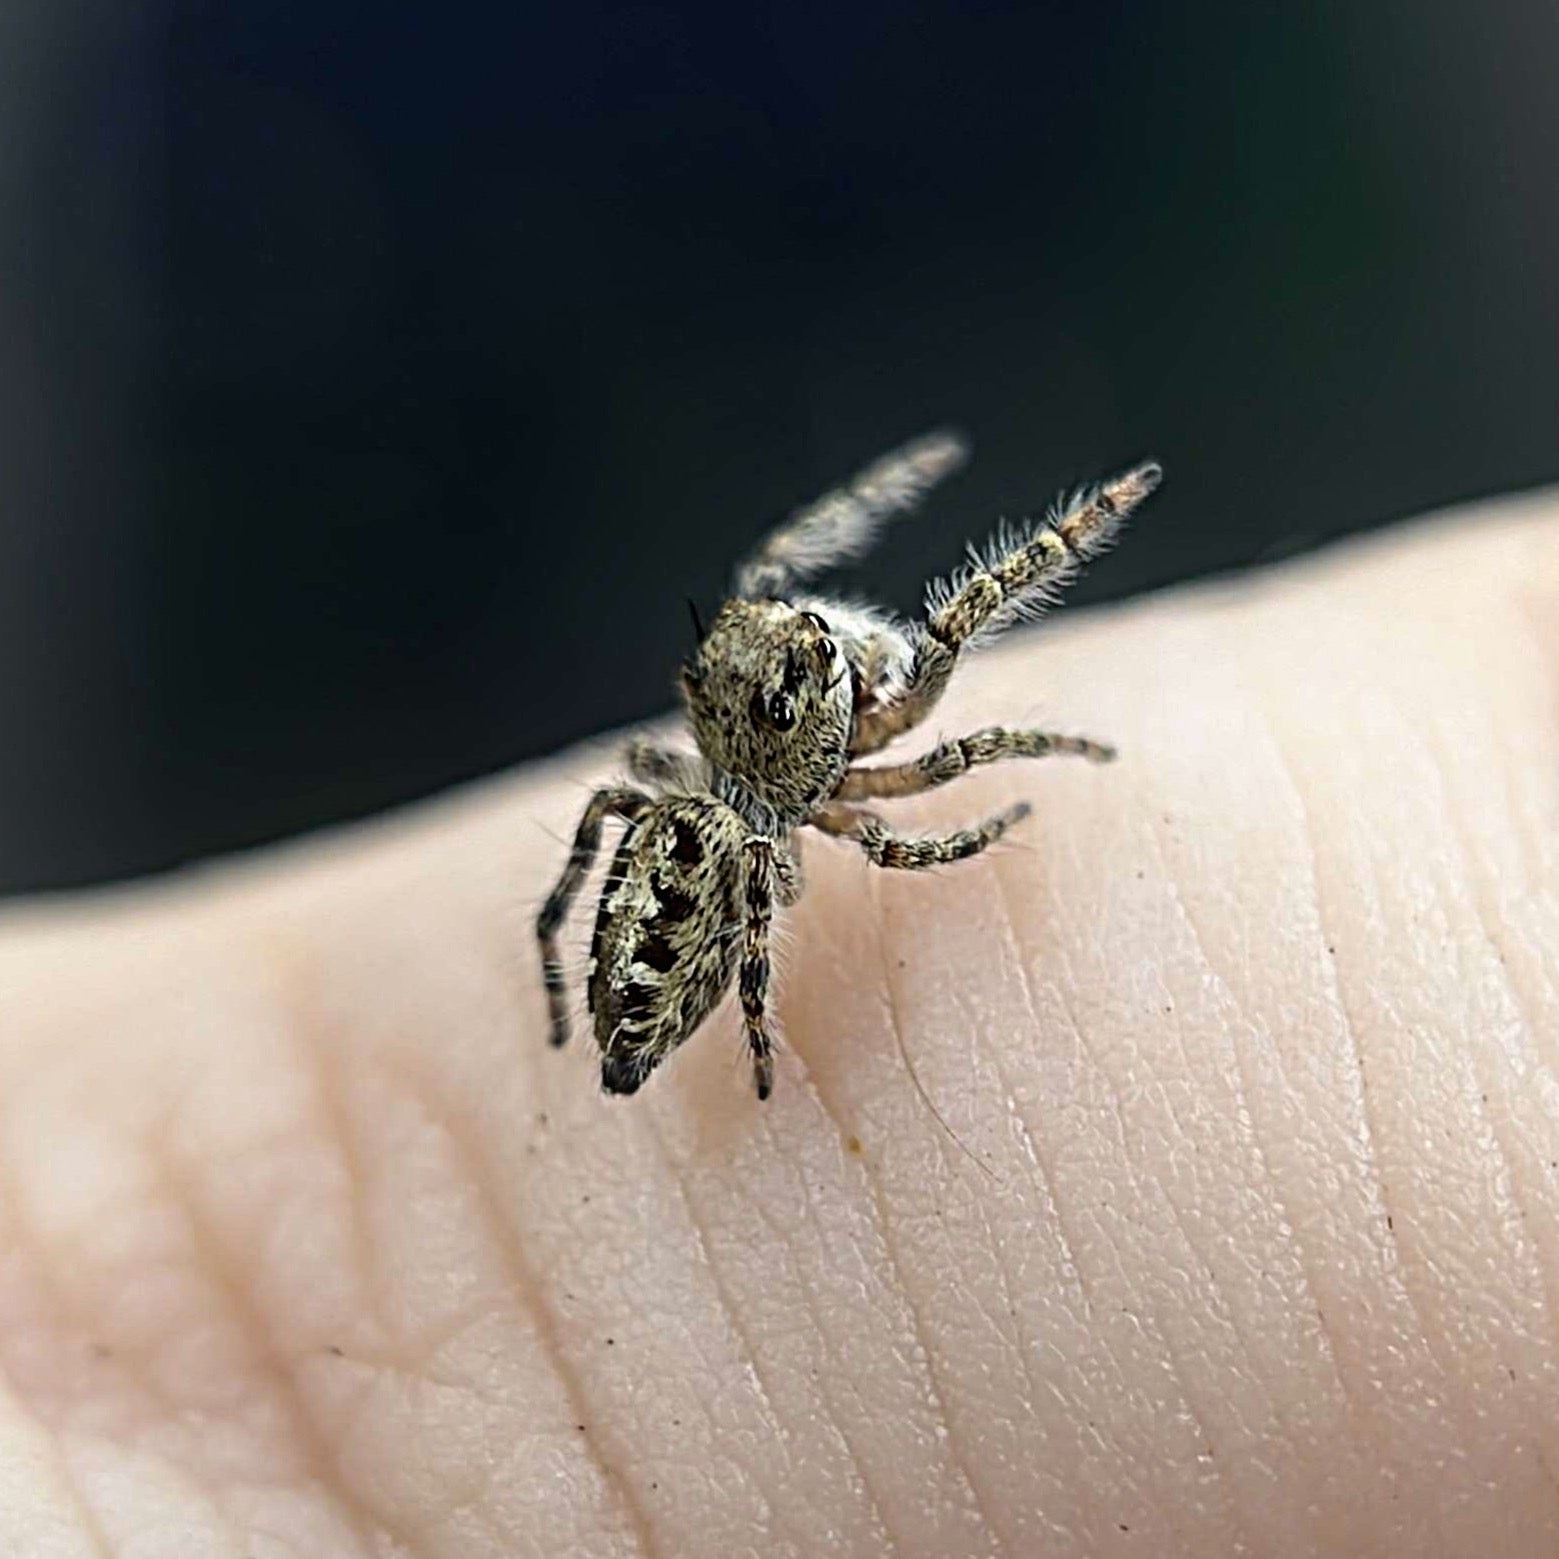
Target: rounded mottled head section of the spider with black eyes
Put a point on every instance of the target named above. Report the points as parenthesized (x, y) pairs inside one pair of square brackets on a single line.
[(771, 701)]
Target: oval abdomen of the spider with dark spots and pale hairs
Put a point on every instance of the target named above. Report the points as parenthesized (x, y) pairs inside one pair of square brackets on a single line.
[(668, 935)]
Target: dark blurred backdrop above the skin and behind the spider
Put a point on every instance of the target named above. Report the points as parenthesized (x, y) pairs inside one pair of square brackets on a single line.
[(378, 380)]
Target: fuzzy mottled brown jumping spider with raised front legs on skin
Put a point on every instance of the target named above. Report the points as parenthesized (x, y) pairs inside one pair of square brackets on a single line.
[(785, 693)]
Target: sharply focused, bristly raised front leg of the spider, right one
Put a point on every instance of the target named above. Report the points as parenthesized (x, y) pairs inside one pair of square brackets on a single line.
[(1017, 578)]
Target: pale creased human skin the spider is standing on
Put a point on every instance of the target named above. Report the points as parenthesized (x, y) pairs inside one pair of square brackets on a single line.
[(309, 1245)]
